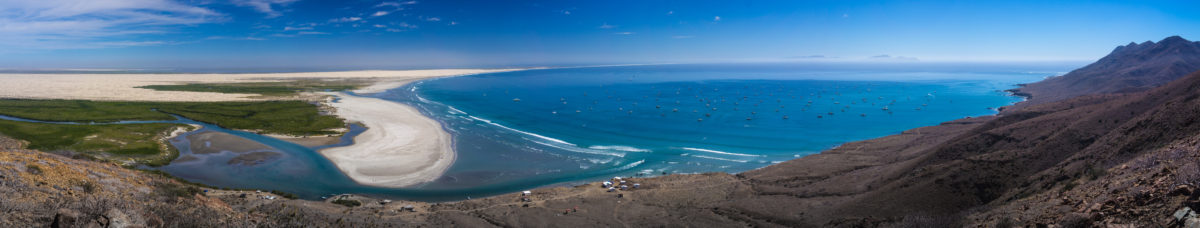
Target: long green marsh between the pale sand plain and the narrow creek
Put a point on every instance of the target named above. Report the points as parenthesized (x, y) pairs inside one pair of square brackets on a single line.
[(293, 118)]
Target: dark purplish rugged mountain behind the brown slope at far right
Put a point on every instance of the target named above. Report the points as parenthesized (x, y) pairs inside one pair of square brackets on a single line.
[(1132, 68)]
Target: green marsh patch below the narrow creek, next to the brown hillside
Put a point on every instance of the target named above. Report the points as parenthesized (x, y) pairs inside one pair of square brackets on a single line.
[(140, 142)]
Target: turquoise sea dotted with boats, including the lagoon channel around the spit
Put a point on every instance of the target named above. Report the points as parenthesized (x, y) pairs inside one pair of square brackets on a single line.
[(575, 125)]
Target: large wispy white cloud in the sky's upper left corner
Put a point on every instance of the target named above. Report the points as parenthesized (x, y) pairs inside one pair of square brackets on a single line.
[(70, 25)]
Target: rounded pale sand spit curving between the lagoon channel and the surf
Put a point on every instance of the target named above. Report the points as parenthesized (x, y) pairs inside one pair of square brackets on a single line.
[(400, 148)]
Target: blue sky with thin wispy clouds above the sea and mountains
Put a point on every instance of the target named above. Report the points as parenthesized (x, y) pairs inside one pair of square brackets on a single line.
[(374, 34)]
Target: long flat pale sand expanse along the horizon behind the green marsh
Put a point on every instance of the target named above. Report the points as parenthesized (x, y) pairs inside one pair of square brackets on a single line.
[(123, 87)]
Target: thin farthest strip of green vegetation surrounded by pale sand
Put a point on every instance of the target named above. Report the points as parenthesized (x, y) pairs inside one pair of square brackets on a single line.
[(266, 89)]
